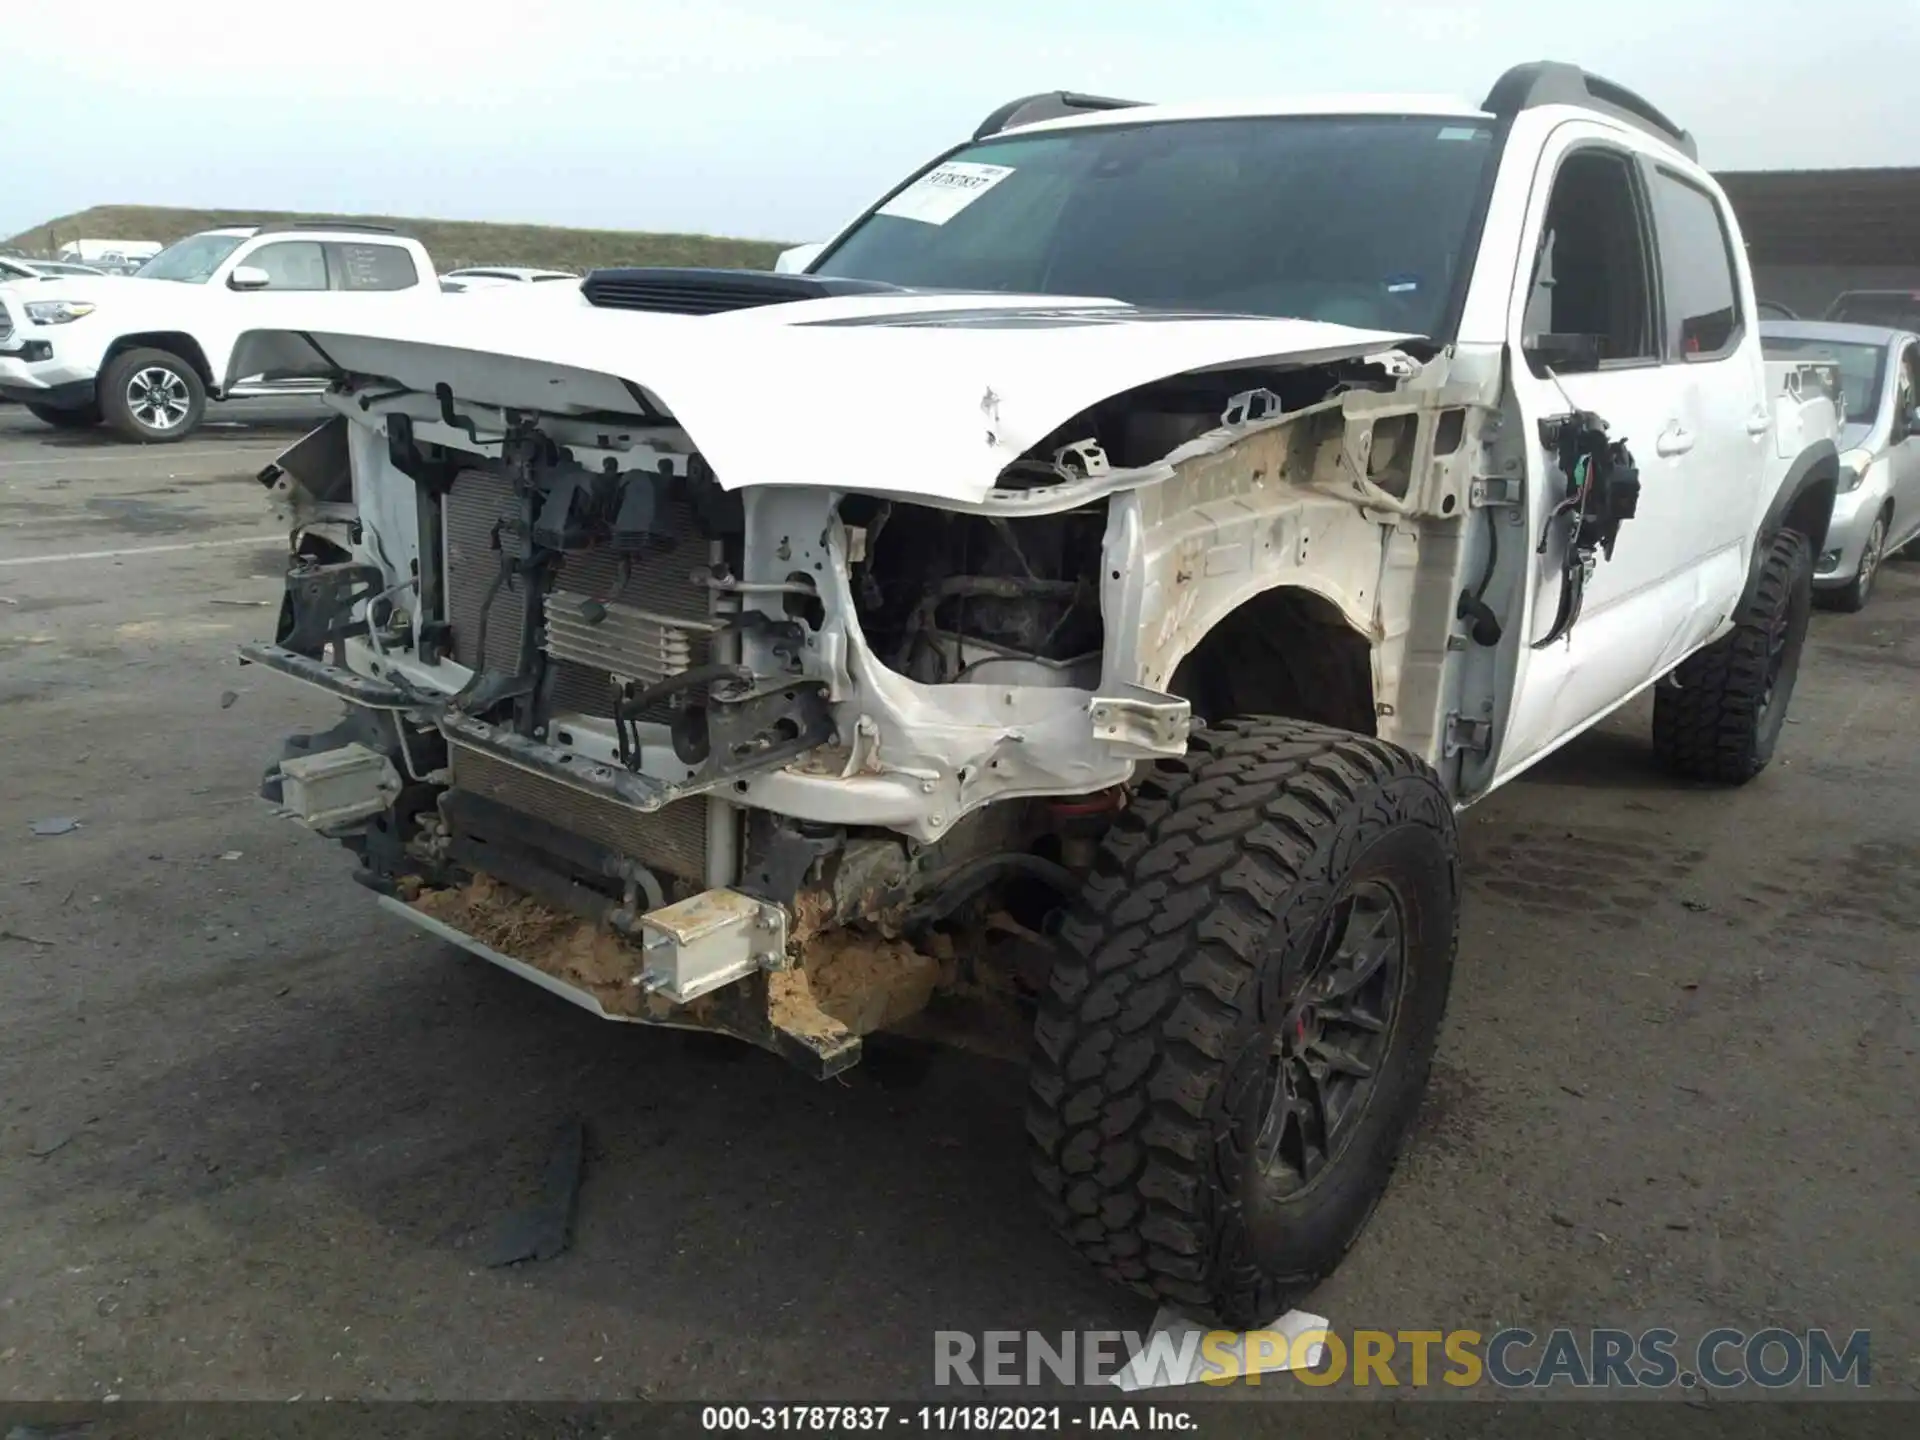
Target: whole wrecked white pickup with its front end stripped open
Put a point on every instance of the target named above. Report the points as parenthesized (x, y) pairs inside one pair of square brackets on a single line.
[(1088, 590)]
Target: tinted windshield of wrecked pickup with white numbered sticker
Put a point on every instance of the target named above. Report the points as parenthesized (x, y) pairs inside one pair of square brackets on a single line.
[(1355, 220)]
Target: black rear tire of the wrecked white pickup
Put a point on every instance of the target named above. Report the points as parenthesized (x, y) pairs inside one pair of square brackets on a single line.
[(1721, 717)]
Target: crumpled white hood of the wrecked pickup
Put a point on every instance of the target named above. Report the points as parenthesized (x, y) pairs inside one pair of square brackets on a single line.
[(923, 395)]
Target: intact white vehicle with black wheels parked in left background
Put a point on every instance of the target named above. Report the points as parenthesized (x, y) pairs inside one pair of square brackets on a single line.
[(147, 352)]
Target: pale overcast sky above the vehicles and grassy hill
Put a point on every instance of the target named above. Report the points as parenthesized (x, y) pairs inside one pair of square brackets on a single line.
[(780, 120)]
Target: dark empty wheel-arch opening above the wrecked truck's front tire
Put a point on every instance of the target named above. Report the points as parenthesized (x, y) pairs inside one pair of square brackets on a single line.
[(1287, 654)]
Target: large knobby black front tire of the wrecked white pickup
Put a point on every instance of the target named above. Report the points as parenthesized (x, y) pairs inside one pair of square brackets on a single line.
[(1157, 1049)]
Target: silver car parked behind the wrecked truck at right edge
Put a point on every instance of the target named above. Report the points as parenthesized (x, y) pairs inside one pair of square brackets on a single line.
[(1879, 506)]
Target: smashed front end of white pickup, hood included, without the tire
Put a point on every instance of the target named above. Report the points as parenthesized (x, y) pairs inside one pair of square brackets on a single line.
[(713, 704)]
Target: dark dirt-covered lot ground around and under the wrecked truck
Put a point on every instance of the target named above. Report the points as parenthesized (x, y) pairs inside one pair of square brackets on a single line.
[(254, 1128)]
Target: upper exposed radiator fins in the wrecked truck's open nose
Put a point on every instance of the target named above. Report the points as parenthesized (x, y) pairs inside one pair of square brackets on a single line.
[(608, 615)]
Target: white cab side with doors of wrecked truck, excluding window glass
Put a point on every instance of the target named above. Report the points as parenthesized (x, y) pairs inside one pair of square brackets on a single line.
[(1710, 441)]
